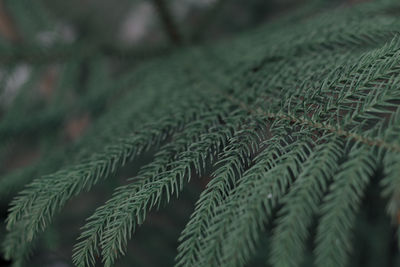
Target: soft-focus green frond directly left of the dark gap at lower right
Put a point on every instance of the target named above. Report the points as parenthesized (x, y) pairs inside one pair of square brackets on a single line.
[(340, 207)]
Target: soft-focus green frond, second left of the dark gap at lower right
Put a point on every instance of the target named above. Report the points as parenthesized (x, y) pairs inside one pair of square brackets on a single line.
[(302, 202)]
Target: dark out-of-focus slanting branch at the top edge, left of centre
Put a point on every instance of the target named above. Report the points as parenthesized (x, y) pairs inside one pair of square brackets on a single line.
[(168, 21)]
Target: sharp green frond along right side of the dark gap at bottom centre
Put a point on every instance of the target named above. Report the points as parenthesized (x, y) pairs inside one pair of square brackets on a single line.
[(235, 158)]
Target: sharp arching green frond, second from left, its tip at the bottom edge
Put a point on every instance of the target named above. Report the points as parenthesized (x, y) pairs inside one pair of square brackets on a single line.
[(167, 155)]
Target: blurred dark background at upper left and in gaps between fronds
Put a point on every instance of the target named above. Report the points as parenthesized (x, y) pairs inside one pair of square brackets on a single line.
[(63, 63)]
